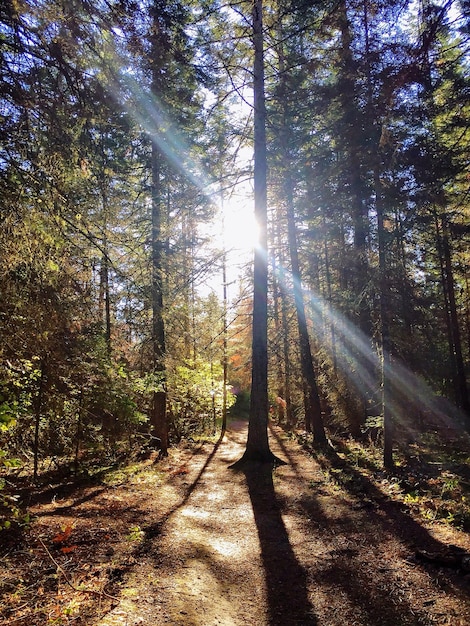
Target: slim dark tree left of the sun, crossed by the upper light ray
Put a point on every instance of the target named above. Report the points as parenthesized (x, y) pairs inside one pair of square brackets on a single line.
[(172, 86)]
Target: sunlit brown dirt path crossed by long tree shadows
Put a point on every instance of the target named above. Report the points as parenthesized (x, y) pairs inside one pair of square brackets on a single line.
[(281, 549)]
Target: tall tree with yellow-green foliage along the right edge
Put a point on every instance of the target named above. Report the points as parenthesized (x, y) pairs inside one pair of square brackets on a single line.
[(439, 171)]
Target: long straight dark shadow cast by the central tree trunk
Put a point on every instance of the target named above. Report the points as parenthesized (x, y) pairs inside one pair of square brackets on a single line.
[(286, 581)]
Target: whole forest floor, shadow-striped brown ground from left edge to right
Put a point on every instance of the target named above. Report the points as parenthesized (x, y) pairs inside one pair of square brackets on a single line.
[(188, 541)]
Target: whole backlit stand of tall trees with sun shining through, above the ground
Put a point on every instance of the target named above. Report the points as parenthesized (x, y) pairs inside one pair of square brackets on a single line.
[(256, 198)]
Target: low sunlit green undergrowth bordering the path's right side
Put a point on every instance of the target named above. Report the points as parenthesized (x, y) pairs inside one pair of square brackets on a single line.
[(431, 477)]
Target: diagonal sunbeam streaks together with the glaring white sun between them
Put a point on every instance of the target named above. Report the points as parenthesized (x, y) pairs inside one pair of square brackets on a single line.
[(358, 361)]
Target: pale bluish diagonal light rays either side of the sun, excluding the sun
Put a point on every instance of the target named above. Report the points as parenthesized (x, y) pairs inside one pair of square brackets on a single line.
[(356, 358)]
